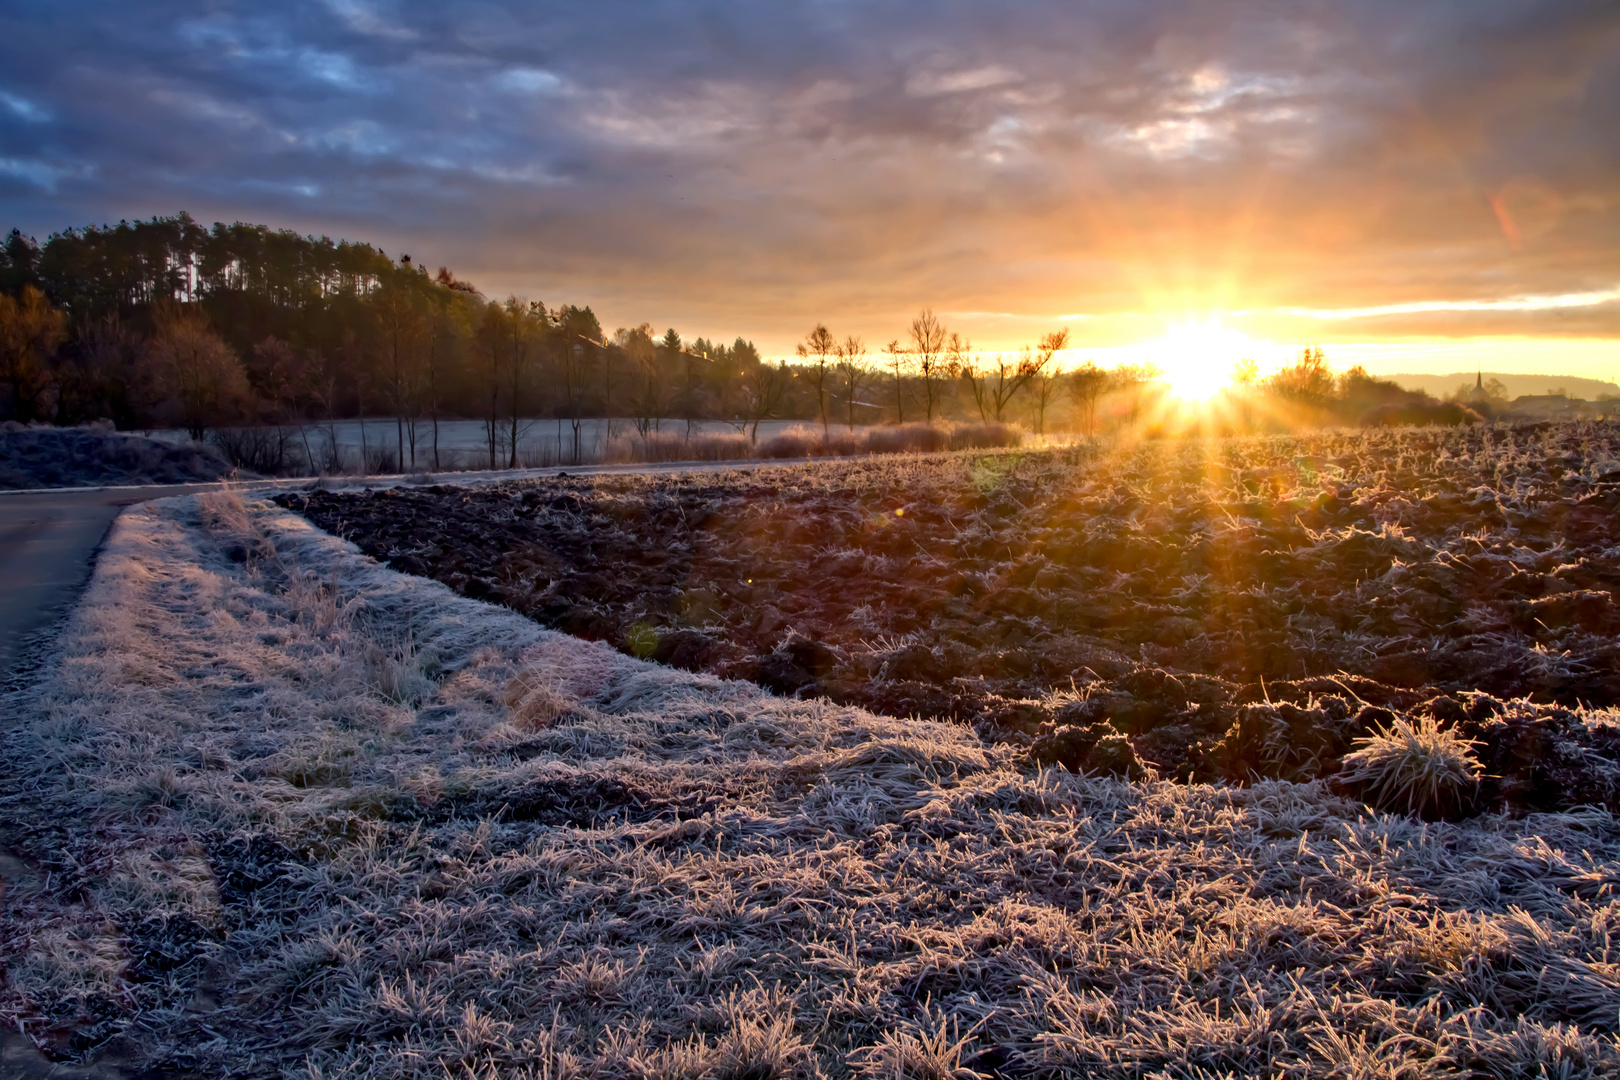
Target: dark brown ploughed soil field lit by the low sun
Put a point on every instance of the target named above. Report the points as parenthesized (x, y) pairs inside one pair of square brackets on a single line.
[(1219, 611)]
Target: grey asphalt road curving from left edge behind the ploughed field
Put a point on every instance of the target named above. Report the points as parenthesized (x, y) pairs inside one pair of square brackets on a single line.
[(49, 538)]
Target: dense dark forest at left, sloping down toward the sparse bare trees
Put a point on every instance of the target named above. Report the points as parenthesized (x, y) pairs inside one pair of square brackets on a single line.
[(168, 323)]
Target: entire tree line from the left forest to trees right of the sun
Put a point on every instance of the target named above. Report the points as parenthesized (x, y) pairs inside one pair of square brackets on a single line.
[(169, 325)]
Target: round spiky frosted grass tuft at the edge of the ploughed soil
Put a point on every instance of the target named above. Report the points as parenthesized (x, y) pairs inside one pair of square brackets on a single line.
[(1415, 767)]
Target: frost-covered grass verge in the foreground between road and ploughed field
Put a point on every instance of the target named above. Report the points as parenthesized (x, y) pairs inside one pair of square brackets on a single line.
[(283, 812)]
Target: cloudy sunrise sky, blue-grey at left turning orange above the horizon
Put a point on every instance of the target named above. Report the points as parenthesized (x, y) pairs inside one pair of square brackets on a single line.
[(1423, 187)]
